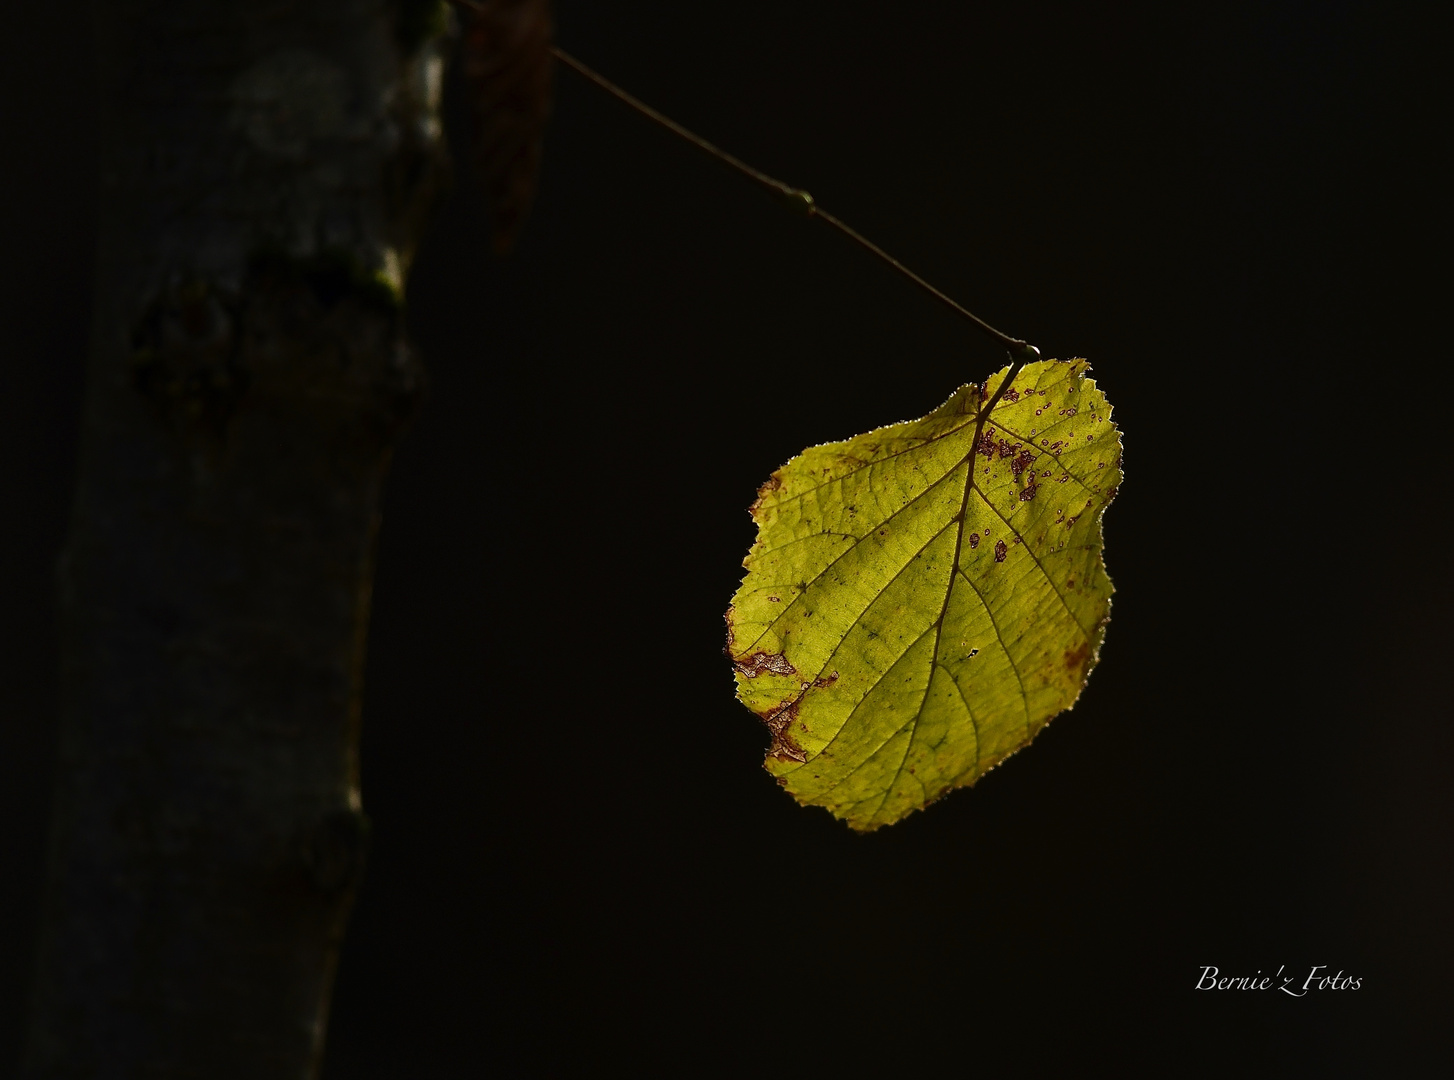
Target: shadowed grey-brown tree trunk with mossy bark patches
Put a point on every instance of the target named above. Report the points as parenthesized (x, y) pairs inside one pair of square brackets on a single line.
[(265, 171)]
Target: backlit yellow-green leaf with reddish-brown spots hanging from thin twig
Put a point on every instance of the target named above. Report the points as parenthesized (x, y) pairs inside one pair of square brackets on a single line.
[(923, 600)]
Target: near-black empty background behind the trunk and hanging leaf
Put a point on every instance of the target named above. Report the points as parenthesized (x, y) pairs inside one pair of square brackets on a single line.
[(579, 864)]
